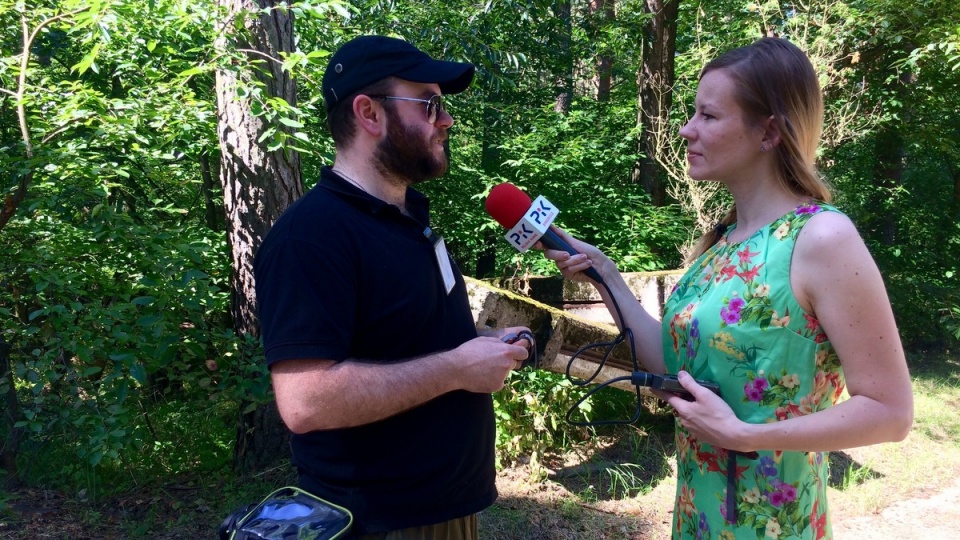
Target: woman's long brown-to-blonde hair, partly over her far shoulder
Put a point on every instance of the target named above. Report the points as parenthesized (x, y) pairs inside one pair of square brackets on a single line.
[(775, 78)]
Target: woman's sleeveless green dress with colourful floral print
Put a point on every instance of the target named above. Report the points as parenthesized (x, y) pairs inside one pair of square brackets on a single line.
[(733, 319)]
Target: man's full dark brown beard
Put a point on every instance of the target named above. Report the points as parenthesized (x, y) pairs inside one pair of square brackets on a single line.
[(405, 154)]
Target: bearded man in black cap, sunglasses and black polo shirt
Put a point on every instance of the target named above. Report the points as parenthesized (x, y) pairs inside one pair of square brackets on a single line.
[(375, 359)]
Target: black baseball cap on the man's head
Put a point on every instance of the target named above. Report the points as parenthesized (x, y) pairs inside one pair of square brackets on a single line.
[(367, 59)]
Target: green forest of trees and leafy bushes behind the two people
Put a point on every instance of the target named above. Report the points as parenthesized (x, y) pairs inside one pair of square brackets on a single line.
[(147, 145)]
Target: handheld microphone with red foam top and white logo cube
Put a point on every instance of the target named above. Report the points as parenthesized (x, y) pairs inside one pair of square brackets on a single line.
[(527, 222)]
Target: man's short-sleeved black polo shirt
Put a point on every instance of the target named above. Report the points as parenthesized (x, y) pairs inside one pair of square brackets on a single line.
[(344, 275)]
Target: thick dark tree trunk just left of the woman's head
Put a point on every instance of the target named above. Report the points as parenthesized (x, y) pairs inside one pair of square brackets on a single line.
[(656, 80)]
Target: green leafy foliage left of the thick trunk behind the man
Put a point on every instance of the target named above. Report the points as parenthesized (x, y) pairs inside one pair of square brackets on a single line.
[(114, 289)]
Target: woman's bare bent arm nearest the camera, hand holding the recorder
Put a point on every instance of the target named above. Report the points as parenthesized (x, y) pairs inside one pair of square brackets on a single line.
[(835, 279)]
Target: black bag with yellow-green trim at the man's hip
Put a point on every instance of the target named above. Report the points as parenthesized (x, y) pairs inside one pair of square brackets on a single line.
[(288, 513)]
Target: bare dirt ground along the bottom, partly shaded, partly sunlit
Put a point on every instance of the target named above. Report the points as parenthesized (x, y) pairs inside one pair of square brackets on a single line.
[(558, 509)]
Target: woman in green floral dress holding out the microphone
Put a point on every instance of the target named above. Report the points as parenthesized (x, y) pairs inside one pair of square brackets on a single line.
[(782, 306)]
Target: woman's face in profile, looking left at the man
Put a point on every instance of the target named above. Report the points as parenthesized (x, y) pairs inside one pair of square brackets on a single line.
[(720, 145)]
